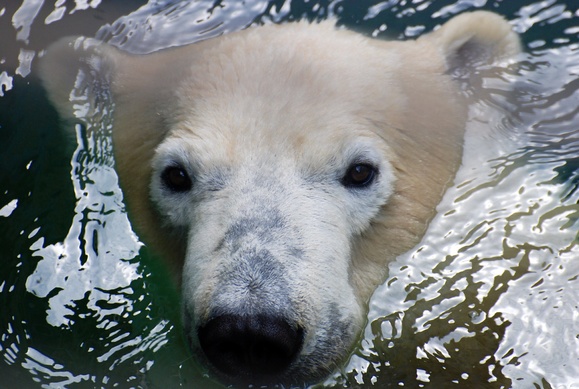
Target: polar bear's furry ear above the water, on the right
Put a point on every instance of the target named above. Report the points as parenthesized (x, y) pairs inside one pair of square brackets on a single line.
[(474, 39)]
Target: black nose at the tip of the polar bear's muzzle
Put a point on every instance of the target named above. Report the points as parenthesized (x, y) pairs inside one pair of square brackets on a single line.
[(250, 347)]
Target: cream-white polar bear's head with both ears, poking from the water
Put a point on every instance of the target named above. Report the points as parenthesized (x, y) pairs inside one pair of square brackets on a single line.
[(280, 168)]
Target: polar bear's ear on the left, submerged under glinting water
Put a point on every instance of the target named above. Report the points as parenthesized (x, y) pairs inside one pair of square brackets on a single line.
[(77, 73)]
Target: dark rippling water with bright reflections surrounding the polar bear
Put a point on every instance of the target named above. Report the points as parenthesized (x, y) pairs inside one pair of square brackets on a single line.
[(489, 298)]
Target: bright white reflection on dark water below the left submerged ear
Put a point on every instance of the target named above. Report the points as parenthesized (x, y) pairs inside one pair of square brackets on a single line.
[(94, 257)]
